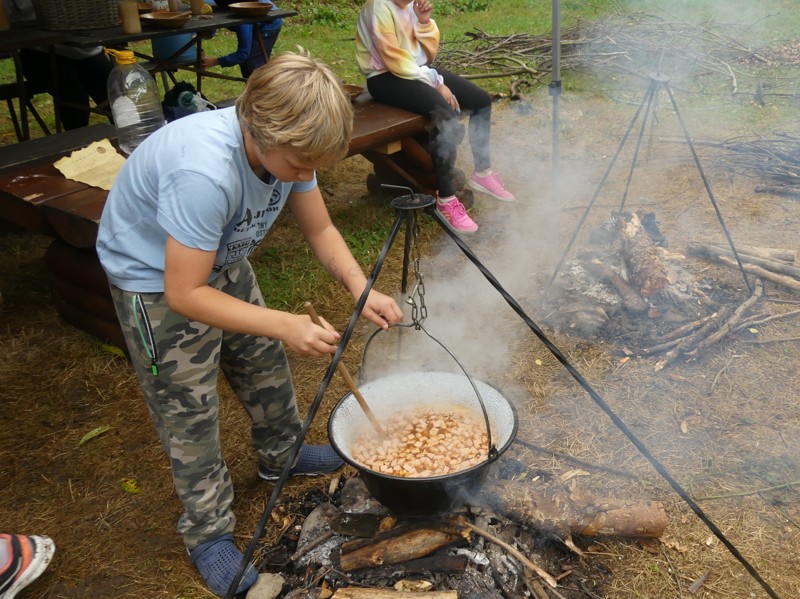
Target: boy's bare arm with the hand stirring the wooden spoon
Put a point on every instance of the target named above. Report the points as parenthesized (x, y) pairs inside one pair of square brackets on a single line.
[(188, 293)]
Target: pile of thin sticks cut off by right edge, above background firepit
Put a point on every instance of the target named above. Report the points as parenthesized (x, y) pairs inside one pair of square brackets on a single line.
[(775, 161)]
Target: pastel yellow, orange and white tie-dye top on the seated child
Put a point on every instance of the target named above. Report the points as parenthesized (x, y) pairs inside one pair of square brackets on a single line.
[(390, 38)]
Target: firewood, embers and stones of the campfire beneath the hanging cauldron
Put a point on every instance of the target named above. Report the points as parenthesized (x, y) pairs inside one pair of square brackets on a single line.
[(513, 540)]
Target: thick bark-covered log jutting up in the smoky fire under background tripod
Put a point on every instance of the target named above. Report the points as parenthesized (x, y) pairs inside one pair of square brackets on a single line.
[(642, 256)]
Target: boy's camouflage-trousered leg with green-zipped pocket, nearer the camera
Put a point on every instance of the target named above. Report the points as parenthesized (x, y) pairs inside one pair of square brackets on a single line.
[(179, 382)]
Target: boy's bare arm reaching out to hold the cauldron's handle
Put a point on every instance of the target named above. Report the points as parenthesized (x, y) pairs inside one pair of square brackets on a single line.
[(332, 252)]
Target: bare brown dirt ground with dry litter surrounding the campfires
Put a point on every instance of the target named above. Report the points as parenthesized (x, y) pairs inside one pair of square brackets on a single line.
[(725, 424)]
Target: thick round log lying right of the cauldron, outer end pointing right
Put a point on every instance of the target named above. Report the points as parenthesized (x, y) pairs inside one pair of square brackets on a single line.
[(575, 510)]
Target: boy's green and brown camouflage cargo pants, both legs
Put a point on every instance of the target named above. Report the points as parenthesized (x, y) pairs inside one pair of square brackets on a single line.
[(177, 363)]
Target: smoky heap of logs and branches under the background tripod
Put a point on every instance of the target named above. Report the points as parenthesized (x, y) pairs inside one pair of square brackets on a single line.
[(632, 290)]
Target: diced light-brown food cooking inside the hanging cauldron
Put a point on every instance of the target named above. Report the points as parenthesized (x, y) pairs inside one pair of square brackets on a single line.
[(424, 443)]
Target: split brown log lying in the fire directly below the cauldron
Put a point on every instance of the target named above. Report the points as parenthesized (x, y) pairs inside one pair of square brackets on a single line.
[(399, 545)]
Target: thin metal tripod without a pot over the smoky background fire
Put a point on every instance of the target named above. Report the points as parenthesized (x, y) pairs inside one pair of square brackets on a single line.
[(657, 81)]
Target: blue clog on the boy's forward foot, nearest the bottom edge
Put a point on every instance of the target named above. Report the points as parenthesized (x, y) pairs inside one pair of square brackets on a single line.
[(218, 561)]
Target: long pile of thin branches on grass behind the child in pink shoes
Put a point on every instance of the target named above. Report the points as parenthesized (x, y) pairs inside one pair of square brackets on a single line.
[(634, 44)]
